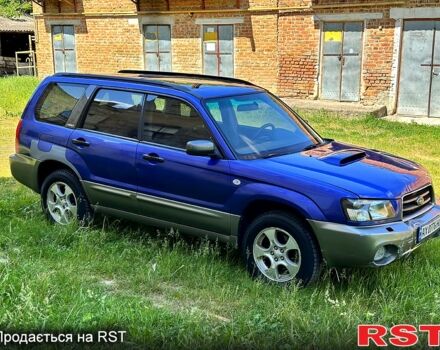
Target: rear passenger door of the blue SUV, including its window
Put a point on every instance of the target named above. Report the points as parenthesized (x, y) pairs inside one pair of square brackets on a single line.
[(106, 144)]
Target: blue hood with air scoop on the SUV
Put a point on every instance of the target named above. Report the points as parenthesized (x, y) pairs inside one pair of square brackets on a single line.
[(364, 172)]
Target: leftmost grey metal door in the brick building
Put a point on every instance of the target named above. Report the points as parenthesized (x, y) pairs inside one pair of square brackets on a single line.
[(63, 39)]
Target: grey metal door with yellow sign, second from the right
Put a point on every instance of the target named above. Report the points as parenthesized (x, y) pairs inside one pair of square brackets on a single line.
[(341, 61)]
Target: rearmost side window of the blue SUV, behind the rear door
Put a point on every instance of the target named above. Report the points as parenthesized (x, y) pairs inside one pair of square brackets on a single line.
[(58, 101)]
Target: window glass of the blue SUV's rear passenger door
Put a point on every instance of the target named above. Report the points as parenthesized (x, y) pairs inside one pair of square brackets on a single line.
[(115, 112)]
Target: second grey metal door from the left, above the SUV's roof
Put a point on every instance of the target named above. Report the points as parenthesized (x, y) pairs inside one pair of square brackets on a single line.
[(157, 47)]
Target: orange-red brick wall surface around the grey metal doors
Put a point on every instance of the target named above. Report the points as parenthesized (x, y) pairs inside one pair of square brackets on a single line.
[(279, 50)]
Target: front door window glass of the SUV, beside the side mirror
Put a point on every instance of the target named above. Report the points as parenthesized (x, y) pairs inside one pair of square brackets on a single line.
[(172, 122)]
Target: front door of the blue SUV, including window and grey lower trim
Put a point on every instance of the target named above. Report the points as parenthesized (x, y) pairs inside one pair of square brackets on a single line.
[(174, 186)]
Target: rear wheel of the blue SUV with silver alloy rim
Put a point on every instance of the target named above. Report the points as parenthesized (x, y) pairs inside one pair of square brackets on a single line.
[(64, 200)]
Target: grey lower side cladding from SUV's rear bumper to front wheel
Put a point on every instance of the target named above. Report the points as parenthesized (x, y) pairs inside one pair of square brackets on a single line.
[(200, 221)]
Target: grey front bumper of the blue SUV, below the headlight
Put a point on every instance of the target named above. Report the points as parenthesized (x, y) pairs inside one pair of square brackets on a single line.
[(346, 246)]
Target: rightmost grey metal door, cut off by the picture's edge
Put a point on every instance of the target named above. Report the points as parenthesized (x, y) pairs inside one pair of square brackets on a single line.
[(419, 88)]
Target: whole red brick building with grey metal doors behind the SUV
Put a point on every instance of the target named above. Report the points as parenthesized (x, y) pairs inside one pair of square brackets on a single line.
[(376, 52)]
